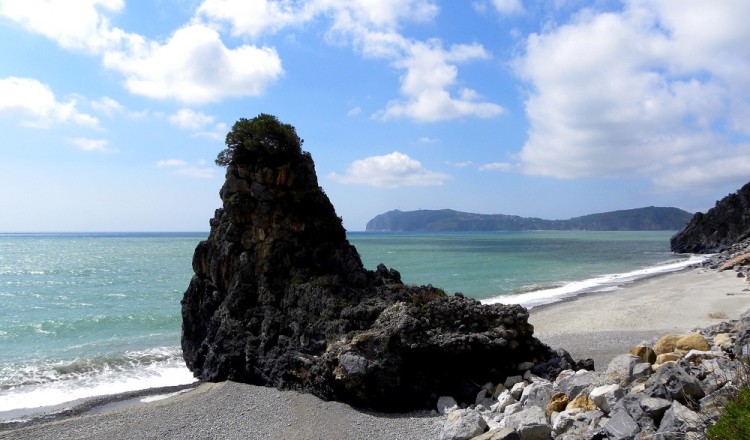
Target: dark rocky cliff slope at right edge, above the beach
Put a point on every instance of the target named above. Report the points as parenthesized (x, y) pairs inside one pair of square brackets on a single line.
[(723, 225)]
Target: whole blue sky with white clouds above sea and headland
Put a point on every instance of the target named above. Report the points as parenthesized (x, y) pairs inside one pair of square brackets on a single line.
[(113, 111)]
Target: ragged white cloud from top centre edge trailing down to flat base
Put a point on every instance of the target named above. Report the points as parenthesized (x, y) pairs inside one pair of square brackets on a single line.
[(428, 90)]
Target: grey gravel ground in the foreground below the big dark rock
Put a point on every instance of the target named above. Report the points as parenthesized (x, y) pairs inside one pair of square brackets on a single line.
[(234, 411)]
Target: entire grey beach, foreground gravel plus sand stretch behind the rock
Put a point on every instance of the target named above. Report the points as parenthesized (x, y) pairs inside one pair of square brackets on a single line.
[(600, 326)]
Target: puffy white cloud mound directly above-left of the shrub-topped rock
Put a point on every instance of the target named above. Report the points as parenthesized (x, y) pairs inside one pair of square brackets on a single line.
[(195, 66)]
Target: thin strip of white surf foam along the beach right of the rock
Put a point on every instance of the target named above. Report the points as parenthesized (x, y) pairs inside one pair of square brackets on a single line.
[(603, 283)]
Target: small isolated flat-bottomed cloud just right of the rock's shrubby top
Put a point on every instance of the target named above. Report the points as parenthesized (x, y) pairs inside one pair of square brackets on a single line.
[(390, 171)]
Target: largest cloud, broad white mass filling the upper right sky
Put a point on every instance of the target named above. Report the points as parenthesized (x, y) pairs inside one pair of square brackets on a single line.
[(651, 91)]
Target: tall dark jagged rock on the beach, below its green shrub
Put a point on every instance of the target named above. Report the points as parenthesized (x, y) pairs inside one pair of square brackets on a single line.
[(280, 298)]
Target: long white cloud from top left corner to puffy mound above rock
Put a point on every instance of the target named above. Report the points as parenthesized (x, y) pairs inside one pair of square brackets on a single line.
[(193, 65)]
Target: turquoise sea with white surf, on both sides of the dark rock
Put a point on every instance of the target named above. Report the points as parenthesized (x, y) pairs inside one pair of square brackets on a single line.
[(87, 315)]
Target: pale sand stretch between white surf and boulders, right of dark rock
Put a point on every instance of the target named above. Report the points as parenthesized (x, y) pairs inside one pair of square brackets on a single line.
[(601, 325)]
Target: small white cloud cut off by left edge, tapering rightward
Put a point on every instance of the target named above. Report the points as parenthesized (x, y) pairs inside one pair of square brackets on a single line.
[(37, 105)]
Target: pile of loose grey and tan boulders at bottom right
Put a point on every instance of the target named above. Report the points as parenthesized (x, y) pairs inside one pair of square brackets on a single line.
[(671, 389)]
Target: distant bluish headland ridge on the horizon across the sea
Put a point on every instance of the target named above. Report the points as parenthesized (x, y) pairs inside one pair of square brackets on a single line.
[(640, 219)]
